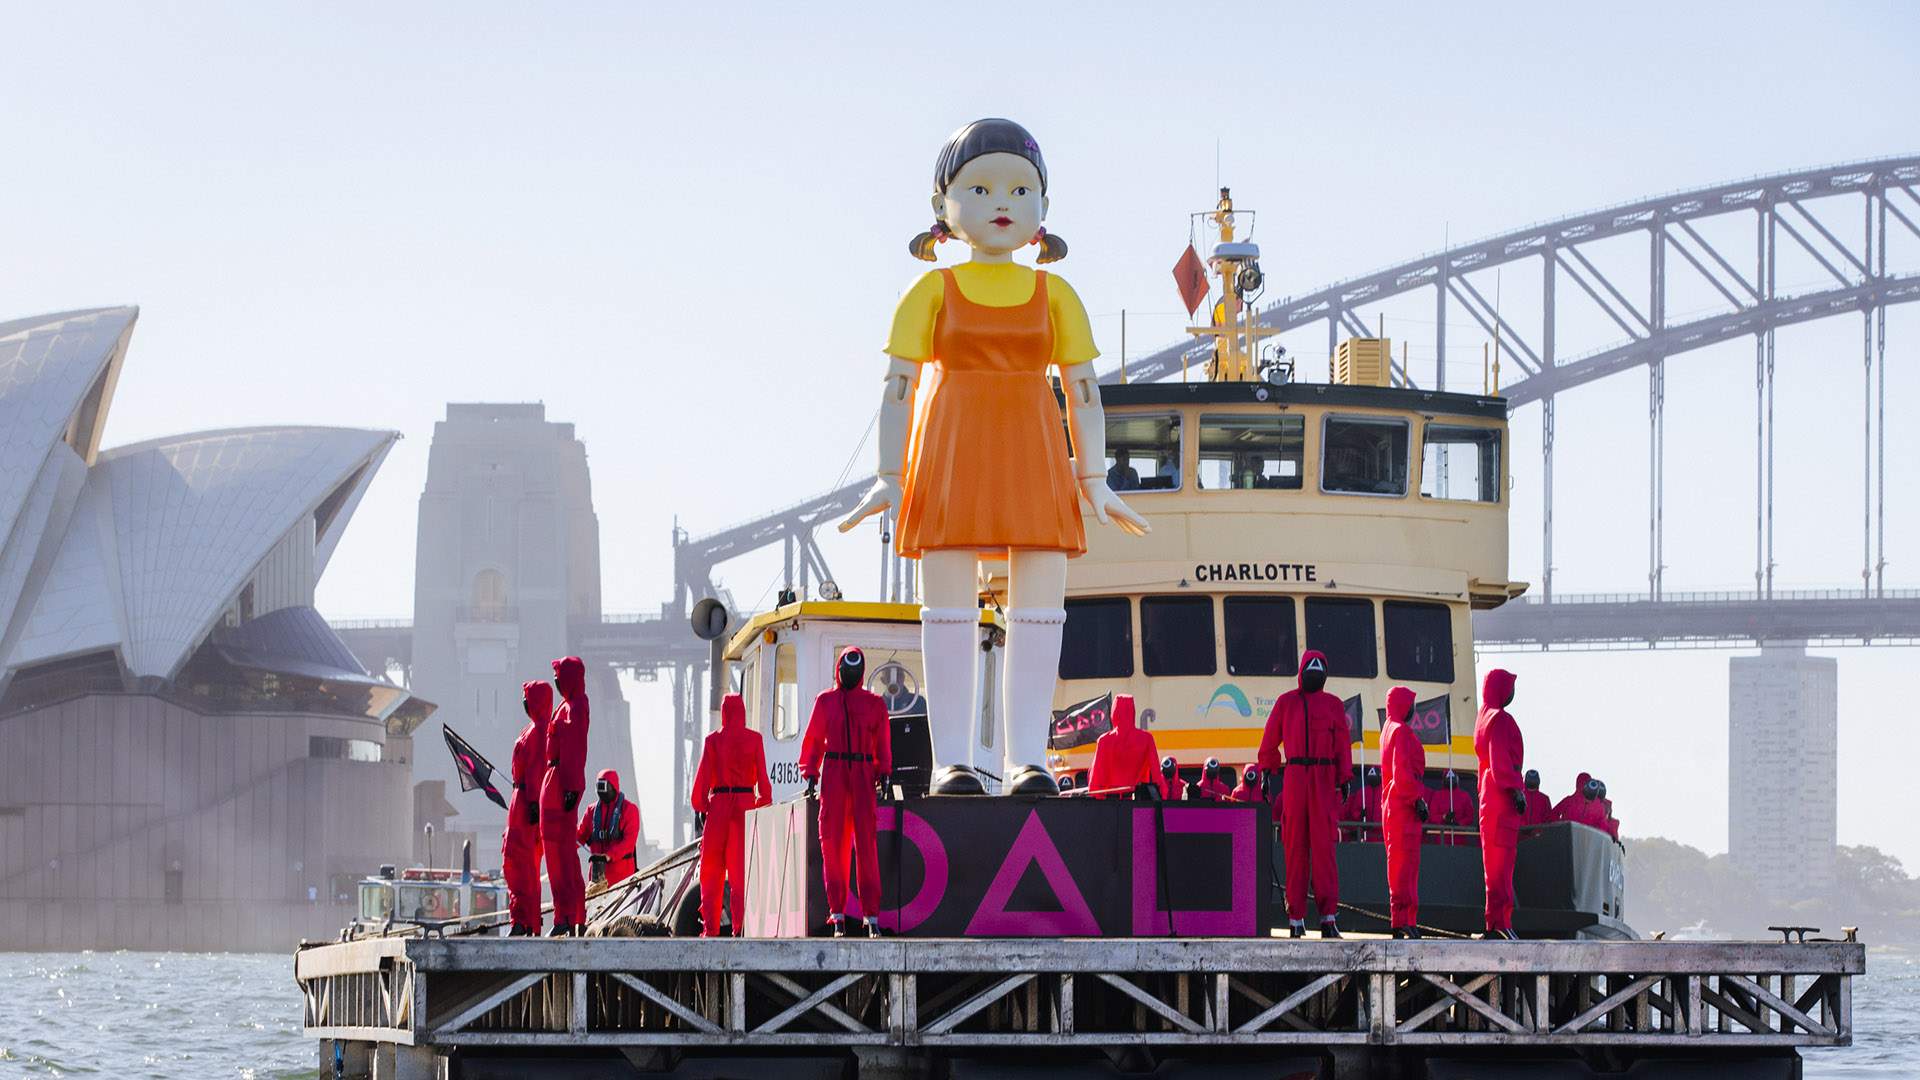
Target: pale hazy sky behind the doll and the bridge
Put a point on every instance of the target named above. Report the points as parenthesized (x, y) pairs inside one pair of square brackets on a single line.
[(683, 228)]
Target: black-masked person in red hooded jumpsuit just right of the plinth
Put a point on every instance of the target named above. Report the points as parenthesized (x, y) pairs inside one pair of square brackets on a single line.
[(1310, 725)]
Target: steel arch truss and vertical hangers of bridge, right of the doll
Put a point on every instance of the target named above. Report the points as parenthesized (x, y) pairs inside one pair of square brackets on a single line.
[(1881, 195)]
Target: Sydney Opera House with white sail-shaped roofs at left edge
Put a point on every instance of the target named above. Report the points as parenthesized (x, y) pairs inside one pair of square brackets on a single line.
[(189, 756)]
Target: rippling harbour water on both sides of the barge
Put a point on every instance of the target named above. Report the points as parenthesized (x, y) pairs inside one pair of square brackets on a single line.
[(237, 1016)]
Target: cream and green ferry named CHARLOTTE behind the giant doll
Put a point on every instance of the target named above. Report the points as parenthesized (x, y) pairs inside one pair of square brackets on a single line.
[(1364, 518)]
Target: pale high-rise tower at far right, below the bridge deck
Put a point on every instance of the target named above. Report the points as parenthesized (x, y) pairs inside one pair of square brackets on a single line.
[(1783, 773)]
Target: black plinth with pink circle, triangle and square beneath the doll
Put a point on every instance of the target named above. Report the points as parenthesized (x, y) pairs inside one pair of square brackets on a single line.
[(1011, 868)]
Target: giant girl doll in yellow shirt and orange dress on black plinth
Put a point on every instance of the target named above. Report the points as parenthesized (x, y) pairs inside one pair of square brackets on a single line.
[(978, 468)]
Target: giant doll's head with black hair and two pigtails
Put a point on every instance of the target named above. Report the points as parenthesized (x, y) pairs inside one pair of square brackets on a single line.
[(990, 191)]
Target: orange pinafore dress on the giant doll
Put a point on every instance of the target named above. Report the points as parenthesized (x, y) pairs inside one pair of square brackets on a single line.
[(988, 456)]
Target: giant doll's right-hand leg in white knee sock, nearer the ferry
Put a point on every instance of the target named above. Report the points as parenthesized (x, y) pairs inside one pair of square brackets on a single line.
[(1038, 585)]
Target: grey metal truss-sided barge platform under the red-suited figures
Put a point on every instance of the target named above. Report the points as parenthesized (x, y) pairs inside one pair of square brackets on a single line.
[(951, 996)]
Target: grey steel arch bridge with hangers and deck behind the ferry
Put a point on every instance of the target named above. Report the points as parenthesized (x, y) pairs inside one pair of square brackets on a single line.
[(1660, 278)]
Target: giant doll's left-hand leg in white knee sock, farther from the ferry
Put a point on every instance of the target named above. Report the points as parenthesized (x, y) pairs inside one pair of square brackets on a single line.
[(949, 649)]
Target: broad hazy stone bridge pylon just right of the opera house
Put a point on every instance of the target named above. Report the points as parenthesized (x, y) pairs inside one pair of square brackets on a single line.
[(506, 572)]
